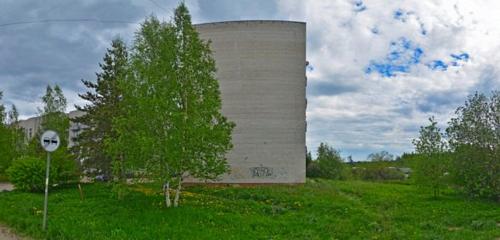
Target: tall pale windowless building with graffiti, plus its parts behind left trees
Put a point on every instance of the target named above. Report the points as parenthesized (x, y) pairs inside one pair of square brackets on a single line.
[(261, 69)]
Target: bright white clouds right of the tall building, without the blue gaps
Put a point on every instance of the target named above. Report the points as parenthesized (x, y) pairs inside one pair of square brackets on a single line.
[(384, 113)]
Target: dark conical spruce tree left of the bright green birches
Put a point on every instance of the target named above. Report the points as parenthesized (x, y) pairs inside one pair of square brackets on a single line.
[(104, 96)]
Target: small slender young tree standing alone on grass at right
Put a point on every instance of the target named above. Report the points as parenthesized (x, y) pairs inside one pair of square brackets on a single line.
[(432, 166)]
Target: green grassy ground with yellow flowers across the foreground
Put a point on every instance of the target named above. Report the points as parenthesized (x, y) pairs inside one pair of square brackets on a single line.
[(317, 210)]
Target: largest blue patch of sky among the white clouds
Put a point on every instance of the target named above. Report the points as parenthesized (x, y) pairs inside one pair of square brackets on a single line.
[(402, 56)]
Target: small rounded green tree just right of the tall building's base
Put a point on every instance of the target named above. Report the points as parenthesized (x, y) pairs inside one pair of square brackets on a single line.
[(329, 162)]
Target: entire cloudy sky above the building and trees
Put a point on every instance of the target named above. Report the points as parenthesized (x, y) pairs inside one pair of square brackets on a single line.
[(378, 70)]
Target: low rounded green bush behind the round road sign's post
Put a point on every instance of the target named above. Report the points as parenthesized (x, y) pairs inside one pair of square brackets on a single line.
[(28, 174)]
